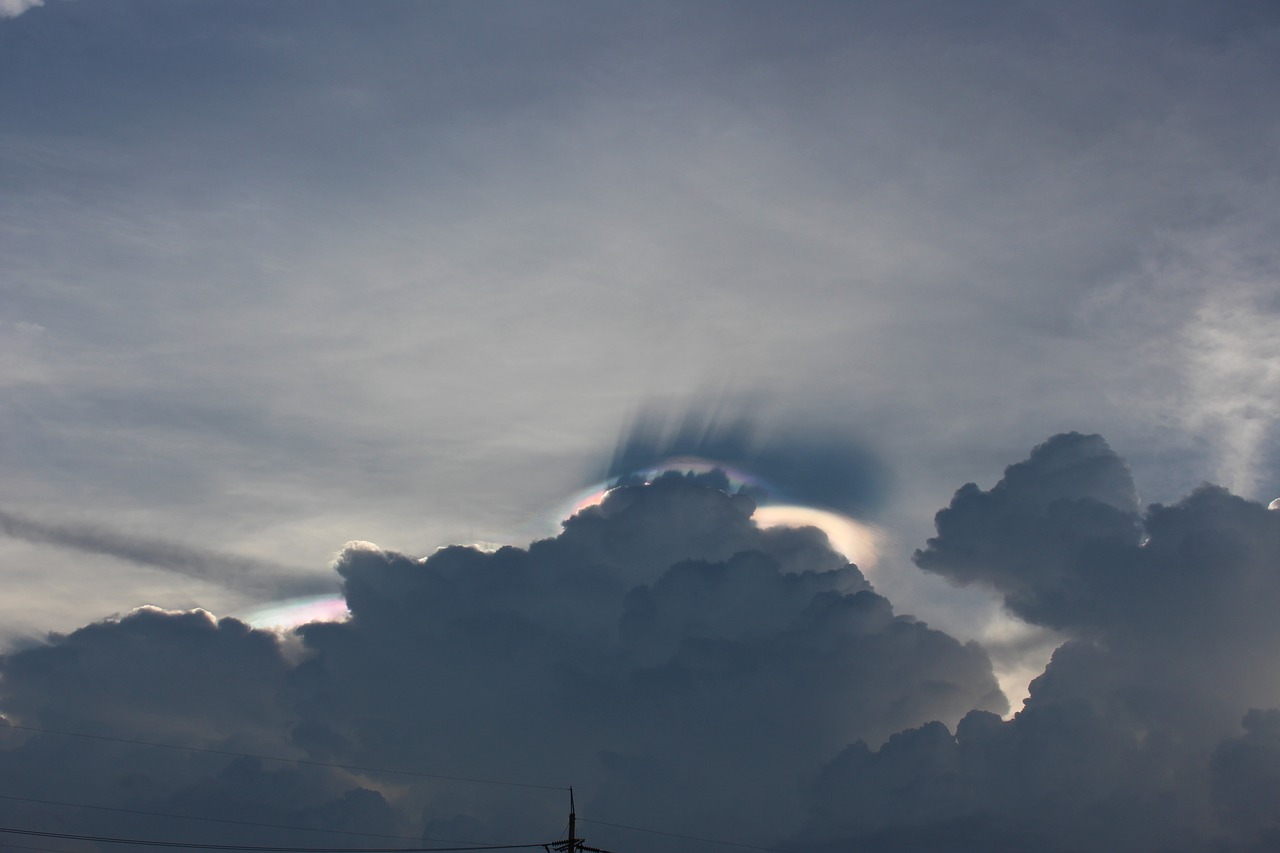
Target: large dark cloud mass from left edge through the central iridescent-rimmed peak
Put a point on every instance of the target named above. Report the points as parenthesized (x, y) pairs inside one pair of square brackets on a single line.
[(660, 653)]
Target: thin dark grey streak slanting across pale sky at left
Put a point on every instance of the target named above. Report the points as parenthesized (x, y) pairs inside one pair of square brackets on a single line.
[(214, 567)]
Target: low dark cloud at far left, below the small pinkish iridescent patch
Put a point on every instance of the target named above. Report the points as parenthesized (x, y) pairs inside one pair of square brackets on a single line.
[(170, 678)]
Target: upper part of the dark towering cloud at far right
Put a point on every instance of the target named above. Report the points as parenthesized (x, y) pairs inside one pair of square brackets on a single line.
[(1182, 591)]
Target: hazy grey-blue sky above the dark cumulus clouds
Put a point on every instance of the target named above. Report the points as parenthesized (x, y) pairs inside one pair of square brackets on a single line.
[(281, 276)]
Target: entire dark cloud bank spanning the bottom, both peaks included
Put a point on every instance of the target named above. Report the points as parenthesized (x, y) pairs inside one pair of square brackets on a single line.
[(691, 673)]
